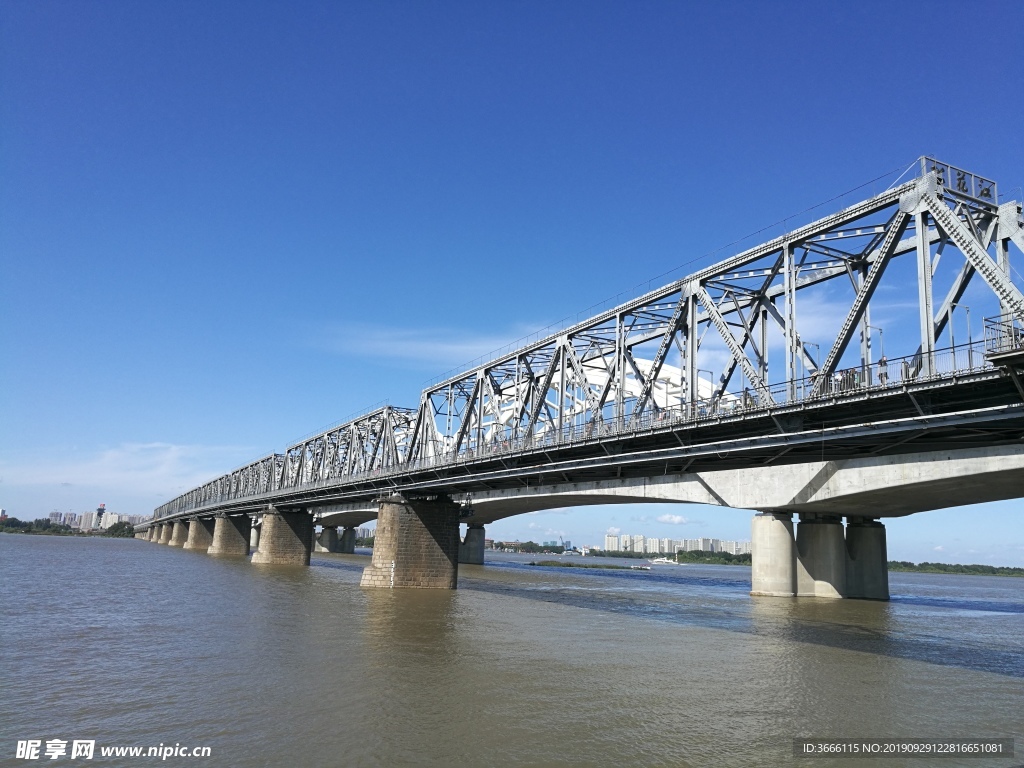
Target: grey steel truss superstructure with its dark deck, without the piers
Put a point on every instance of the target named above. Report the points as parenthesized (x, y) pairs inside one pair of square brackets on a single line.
[(622, 395)]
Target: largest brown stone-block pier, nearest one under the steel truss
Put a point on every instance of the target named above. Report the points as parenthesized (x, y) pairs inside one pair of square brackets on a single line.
[(416, 544)]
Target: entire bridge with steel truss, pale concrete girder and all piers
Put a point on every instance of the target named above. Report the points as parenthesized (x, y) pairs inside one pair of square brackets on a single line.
[(818, 375)]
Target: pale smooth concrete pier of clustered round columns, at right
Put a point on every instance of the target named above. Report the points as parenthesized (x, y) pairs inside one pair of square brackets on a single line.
[(822, 561)]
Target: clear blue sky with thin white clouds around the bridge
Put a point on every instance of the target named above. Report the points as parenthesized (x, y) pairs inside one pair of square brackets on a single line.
[(225, 226)]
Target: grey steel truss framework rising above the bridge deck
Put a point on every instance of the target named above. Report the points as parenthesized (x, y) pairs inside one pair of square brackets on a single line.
[(642, 363)]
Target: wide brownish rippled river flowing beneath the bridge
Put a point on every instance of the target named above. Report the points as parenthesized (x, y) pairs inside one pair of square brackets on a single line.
[(131, 644)]
